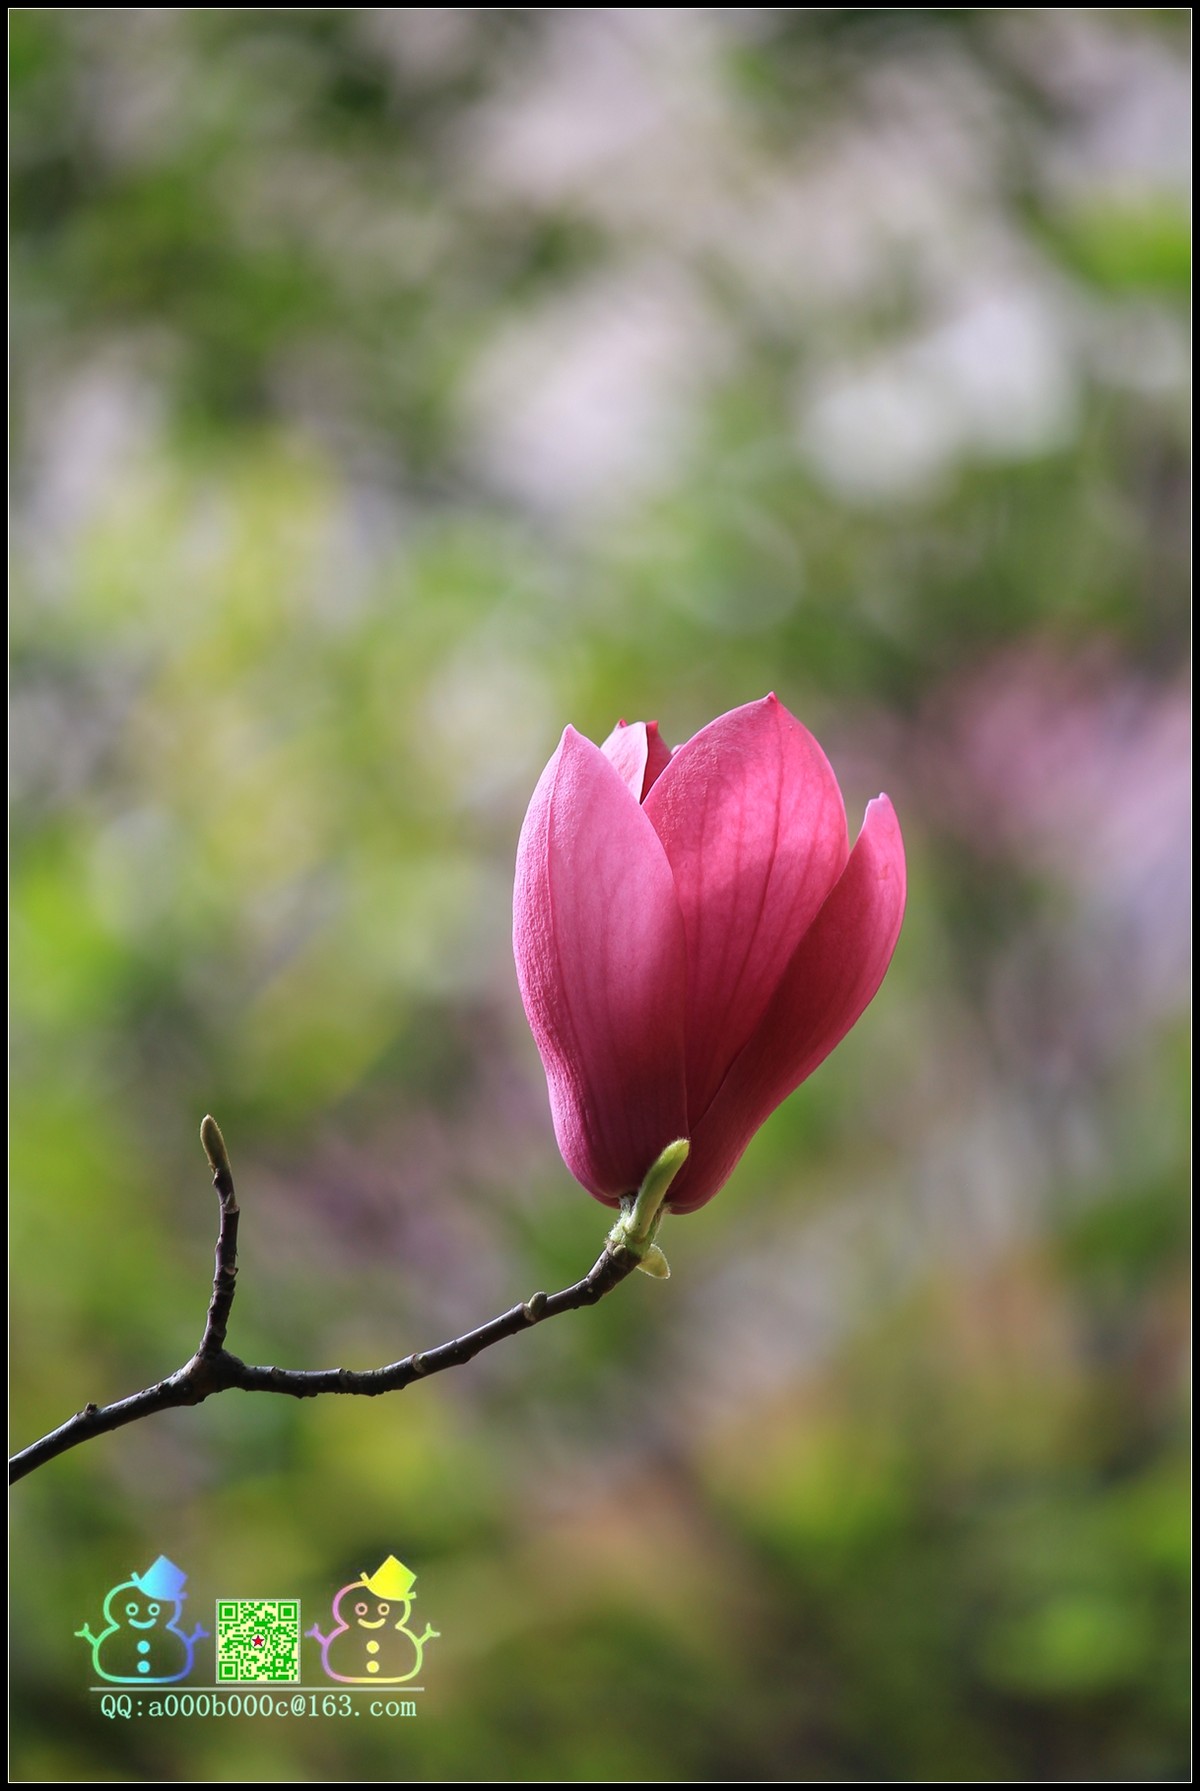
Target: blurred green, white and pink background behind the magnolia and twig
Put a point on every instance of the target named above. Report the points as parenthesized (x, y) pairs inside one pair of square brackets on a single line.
[(391, 388)]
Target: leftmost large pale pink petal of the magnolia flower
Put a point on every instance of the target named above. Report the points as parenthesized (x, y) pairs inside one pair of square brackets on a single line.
[(601, 961)]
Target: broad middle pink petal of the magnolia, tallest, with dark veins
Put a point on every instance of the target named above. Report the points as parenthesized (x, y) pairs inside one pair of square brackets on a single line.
[(753, 825)]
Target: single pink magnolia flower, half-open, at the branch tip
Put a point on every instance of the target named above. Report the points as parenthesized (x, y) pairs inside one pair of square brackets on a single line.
[(692, 938)]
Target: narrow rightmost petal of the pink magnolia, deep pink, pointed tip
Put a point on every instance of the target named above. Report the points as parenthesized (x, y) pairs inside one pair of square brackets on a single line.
[(830, 981)]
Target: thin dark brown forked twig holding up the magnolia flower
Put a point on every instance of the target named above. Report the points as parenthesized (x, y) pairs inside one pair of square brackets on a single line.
[(214, 1369)]
